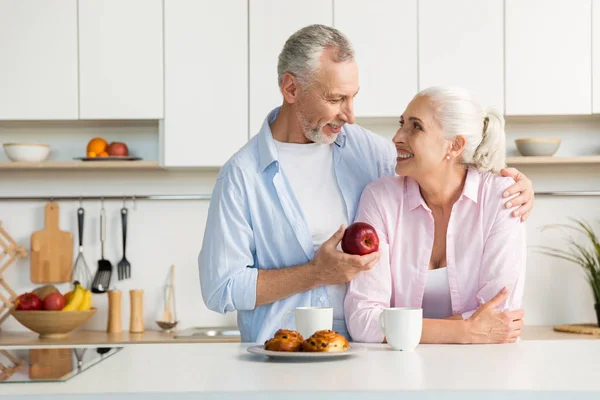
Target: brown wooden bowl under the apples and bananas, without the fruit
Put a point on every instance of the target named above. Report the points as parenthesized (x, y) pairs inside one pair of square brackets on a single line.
[(52, 324)]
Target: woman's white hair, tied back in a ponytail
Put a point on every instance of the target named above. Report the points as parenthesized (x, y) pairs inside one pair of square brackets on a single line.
[(459, 114)]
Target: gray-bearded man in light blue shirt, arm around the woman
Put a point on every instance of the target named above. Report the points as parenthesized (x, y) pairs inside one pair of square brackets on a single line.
[(280, 203)]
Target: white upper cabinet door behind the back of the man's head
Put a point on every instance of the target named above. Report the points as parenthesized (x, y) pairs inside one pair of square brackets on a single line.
[(271, 23)]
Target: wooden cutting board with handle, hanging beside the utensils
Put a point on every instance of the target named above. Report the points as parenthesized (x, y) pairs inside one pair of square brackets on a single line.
[(51, 250)]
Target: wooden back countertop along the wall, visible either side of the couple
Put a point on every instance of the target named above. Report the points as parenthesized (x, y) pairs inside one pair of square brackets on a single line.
[(100, 338)]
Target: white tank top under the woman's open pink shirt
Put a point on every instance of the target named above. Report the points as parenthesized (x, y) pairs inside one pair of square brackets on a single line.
[(436, 299)]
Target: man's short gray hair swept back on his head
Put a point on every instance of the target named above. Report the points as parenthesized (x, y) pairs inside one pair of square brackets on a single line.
[(302, 51)]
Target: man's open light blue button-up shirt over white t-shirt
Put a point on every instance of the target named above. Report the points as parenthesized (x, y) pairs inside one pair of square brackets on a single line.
[(254, 221)]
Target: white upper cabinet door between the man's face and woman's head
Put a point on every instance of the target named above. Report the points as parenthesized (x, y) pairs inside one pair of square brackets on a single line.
[(384, 35)]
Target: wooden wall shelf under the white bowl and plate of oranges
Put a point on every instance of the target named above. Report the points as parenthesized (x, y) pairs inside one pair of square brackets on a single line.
[(76, 165)]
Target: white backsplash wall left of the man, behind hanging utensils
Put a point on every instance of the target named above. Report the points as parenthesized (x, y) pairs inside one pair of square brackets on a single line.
[(160, 233)]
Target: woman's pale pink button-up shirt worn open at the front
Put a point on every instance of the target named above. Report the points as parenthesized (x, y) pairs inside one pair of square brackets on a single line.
[(485, 250)]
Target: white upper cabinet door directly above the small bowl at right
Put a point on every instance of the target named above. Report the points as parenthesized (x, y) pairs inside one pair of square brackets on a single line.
[(548, 57)]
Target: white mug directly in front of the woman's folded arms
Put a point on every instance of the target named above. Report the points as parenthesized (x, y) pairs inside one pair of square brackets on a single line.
[(402, 327)]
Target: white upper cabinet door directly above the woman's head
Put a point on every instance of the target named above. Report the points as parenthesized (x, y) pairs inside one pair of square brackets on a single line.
[(461, 43)]
